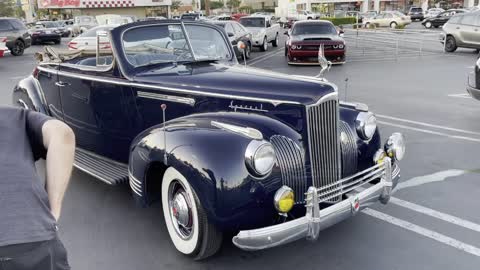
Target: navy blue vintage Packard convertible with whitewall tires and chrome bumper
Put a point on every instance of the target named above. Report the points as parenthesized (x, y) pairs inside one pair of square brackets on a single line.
[(169, 110)]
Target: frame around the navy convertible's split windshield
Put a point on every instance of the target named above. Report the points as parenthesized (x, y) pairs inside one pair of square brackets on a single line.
[(182, 25)]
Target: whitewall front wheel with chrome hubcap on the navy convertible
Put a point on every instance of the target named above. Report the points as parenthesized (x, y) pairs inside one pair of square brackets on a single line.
[(186, 221)]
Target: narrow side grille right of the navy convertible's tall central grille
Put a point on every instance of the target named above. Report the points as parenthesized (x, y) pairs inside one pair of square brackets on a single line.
[(348, 145)]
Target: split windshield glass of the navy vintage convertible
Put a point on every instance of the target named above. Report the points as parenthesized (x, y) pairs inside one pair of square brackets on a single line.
[(169, 43)]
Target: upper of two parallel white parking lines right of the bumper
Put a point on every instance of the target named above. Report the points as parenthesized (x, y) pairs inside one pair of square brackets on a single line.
[(436, 214)]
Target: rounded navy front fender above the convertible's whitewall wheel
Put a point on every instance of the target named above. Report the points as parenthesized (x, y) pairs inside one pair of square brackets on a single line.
[(213, 161)]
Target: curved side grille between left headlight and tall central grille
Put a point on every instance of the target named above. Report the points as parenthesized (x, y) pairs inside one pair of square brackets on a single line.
[(291, 160)]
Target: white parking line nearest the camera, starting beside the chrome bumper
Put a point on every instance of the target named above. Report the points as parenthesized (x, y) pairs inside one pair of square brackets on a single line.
[(424, 231)]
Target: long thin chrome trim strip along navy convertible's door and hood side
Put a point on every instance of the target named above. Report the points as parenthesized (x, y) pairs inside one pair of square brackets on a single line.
[(177, 90)]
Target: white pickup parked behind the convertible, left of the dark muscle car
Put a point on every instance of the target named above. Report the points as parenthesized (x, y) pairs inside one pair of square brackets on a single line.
[(264, 30)]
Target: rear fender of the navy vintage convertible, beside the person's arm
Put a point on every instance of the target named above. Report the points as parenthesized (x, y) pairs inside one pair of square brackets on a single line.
[(29, 95)]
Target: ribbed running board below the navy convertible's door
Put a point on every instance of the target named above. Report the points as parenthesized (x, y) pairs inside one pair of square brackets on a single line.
[(104, 169)]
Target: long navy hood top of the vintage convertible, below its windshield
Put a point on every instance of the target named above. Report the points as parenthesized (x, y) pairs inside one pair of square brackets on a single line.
[(236, 81)]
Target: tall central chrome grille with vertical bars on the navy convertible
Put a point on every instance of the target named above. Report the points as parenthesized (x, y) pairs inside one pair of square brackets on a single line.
[(323, 136)]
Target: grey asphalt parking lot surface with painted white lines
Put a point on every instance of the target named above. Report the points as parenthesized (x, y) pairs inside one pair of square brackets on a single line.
[(433, 221)]
